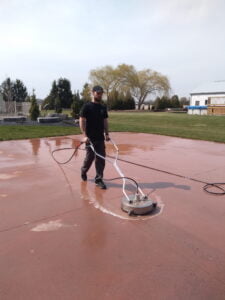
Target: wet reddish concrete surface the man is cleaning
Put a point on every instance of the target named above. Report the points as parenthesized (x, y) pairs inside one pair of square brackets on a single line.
[(61, 238)]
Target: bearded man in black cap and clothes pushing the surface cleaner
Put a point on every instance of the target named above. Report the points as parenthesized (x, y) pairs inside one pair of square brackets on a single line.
[(94, 124)]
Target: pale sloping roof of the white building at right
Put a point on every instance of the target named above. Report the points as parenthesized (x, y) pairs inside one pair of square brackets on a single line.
[(215, 87)]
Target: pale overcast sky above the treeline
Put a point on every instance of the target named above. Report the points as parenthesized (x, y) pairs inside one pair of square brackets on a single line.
[(43, 40)]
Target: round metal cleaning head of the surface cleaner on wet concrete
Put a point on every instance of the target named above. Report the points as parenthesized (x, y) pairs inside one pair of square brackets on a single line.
[(134, 206)]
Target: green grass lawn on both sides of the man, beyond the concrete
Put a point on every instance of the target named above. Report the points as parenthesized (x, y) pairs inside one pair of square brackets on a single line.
[(210, 128)]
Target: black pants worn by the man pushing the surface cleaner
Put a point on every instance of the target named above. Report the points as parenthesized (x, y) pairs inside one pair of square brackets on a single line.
[(99, 147)]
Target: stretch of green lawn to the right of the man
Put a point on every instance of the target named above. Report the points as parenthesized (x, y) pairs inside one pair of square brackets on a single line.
[(210, 128)]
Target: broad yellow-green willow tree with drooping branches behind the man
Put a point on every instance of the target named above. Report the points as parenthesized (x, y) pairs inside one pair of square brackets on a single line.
[(125, 78)]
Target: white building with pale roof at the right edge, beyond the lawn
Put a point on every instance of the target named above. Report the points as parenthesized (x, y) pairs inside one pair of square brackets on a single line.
[(208, 99)]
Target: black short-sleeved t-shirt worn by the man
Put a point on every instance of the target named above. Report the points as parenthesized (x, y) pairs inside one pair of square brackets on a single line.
[(95, 113)]
